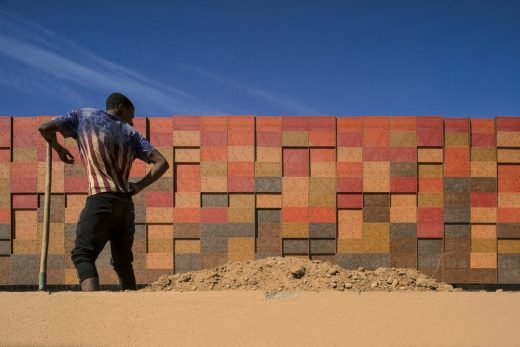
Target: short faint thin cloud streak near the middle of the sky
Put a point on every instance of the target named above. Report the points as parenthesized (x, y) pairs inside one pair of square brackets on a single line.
[(269, 95)]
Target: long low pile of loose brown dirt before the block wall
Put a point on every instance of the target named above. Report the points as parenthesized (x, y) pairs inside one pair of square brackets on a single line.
[(293, 274)]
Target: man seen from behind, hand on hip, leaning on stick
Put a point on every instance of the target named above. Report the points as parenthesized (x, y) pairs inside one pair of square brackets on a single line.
[(107, 145)]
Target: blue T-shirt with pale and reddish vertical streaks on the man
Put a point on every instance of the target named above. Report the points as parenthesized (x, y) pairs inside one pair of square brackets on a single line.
[(107, 146)]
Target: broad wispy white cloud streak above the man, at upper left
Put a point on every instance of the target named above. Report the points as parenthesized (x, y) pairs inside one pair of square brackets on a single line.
[(68, 64)]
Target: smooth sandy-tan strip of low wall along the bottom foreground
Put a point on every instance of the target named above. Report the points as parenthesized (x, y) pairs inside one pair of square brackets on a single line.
[(226, 318)]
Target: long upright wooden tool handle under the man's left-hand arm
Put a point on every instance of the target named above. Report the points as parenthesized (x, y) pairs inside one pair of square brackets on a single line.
[(42, 280)]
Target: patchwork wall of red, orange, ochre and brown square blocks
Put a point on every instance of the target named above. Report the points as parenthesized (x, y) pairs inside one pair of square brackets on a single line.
[(438, 194)]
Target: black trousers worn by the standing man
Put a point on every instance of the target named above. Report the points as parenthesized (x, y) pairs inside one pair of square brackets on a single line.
[(106, 217)]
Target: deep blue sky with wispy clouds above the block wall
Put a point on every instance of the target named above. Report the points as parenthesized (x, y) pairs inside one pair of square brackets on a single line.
[(452, 58)]
